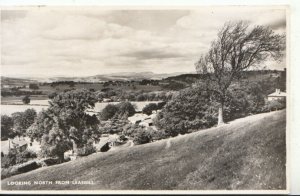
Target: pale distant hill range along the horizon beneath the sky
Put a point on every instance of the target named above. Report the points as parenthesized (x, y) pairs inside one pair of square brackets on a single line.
[(121, 76)]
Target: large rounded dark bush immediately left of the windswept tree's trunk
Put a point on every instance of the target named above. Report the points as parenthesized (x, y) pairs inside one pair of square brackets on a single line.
[(191, 109)]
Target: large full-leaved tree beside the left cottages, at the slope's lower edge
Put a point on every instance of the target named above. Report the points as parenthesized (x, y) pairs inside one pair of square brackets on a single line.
[(65, 124)]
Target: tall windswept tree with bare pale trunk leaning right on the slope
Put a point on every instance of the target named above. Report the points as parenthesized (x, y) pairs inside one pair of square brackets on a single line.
[(236, 49)]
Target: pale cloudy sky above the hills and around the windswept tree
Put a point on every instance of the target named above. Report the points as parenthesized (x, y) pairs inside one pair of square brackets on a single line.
[(87, 41)]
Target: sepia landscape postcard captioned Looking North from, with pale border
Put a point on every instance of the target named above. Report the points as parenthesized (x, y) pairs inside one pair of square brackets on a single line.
[(144, 98)]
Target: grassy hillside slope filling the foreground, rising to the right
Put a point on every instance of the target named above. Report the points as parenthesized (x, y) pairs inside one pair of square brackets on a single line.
[(247, 153)]
